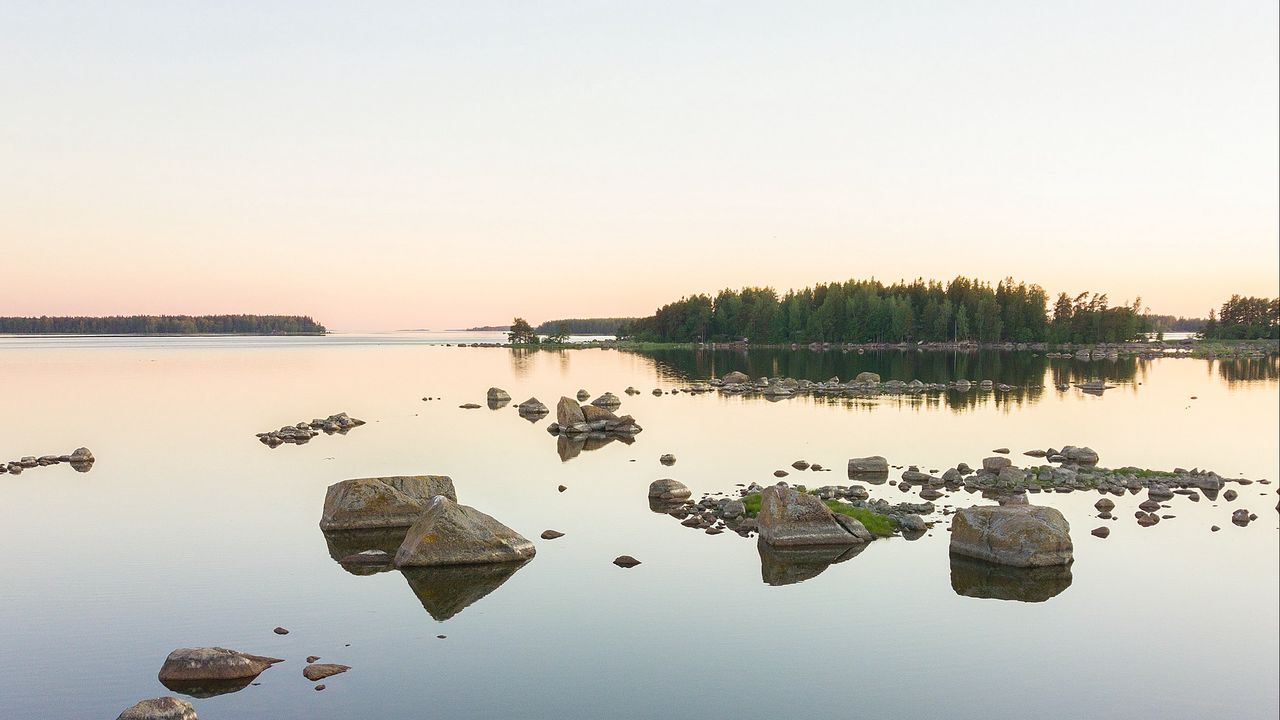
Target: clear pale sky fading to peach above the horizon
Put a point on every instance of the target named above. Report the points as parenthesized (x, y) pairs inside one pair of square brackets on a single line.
[(385, 166)]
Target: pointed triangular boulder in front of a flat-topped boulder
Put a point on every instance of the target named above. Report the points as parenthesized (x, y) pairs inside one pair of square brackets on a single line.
[(449, 534)]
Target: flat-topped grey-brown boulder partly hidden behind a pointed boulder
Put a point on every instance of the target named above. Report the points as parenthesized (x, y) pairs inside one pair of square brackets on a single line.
[(382, 503)]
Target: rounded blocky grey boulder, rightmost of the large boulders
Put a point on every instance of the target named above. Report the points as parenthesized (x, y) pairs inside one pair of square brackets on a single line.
[(1023, 536)]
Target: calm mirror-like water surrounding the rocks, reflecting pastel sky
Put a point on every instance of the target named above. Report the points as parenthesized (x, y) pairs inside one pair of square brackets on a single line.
[(189, 532)]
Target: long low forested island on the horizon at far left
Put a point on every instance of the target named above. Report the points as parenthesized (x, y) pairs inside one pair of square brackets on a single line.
[(164, 325)]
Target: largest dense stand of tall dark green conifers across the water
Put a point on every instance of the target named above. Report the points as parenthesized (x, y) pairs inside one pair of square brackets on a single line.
[(871, 312)]
